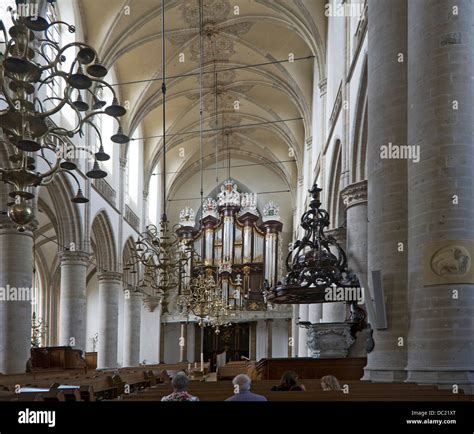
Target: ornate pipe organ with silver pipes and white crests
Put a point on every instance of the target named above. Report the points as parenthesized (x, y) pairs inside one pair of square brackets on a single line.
[(238, 242)]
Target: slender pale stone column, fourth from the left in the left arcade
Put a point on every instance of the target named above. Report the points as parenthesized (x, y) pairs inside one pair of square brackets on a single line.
[(131, 328)]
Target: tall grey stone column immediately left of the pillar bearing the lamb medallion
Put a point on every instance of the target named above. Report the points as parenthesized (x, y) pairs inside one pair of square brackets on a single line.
[(387, 184)]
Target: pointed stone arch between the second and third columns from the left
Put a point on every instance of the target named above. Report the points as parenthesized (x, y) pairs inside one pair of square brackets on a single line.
[(103, 243)]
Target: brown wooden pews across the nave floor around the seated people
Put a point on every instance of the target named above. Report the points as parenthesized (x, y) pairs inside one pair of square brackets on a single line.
[(152, 382)]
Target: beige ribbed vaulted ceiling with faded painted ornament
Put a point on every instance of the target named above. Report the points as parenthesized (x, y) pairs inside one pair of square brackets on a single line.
[(237, 33)]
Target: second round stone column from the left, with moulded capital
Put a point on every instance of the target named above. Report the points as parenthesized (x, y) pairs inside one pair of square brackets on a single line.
[(72, 299)]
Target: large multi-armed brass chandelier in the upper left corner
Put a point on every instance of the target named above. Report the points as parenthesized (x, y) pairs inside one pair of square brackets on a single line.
[(30, 62)]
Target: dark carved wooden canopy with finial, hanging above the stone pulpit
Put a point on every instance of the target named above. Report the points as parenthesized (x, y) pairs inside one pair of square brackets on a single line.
[(316, 263)]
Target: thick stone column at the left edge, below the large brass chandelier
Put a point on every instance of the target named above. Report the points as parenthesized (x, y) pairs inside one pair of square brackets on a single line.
[(16, 268)]
